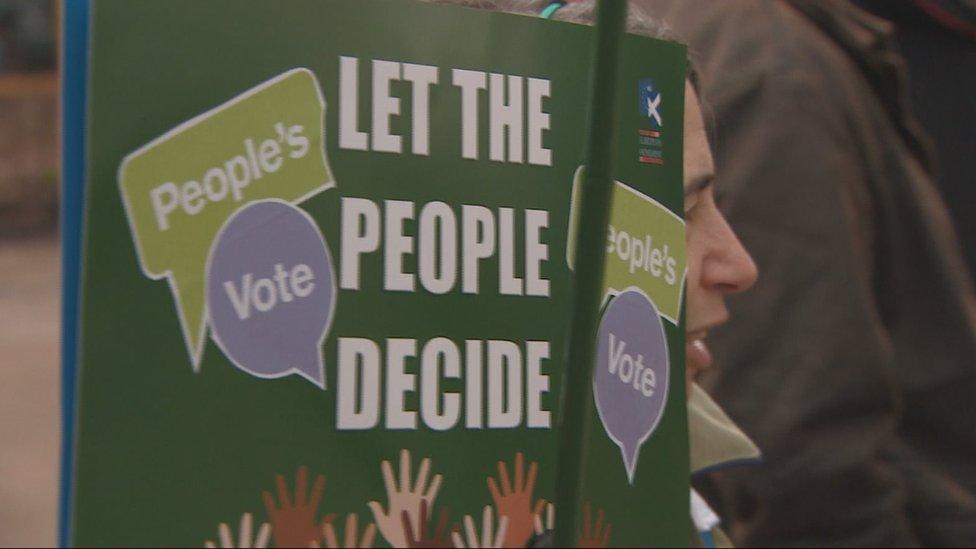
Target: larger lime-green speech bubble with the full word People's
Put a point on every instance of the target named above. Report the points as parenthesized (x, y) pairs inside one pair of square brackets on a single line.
[(178, 190)]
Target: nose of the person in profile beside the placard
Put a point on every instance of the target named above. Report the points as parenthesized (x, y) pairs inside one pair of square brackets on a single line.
[(728, 267)]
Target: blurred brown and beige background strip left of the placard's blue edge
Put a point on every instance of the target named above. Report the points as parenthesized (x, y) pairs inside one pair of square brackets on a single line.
[(29, 272)]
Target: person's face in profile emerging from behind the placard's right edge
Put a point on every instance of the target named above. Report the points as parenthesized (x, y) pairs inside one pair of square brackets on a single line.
[(718, 265)]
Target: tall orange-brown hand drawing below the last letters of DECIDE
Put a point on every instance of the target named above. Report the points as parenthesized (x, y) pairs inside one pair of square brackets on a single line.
[(515, 501)]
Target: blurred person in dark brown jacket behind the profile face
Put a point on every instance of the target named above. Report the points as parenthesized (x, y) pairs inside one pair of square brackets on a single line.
[(858, 390)]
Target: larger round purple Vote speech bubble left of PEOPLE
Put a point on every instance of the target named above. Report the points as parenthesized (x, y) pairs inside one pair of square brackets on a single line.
[(271, 291)]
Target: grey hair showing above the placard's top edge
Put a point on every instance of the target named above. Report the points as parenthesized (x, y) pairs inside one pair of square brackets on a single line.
[(581, 11)]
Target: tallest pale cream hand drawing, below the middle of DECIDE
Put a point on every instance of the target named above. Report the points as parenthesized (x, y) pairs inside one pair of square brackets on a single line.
[(404, 499)]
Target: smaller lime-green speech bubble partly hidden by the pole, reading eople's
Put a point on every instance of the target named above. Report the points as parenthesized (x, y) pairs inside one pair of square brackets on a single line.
[(645, 247)]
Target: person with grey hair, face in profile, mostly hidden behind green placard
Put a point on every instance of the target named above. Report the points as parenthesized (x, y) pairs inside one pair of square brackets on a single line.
[(718, 266)]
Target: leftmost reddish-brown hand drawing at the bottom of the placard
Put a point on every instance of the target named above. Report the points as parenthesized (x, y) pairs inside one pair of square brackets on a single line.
[(295, 522)]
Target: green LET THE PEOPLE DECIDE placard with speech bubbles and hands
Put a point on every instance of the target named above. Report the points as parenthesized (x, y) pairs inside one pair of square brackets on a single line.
[(330, 238)]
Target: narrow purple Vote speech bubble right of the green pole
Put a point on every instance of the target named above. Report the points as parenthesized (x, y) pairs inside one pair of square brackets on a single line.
[(630, 379)]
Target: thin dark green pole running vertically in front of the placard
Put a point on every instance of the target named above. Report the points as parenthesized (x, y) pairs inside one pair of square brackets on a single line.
[(590, 253)]
